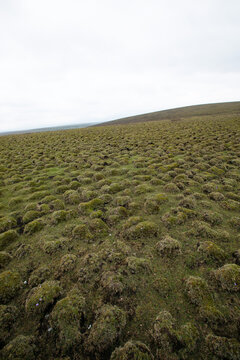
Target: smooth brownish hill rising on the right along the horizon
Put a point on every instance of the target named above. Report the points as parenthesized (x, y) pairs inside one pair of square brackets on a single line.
[(226, 108)]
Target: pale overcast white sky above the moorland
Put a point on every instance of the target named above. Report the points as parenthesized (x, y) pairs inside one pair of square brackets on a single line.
[(78, 61)]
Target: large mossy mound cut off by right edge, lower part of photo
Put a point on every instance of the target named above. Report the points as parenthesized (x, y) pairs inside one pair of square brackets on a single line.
[(228, 276)]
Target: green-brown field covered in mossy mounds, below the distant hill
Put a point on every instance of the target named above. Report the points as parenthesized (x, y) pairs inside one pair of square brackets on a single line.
[(122, 242)]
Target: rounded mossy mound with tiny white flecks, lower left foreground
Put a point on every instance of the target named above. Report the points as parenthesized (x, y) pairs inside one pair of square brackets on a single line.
[(42, 296)]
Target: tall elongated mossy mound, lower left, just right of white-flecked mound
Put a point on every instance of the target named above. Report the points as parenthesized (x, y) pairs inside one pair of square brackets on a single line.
[(66, 318)]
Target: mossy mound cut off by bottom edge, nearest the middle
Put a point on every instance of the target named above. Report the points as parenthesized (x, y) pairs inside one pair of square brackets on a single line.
[(132, 350)]
